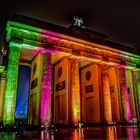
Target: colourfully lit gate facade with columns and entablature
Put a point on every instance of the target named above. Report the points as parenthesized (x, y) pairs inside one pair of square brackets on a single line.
[(71, 80)]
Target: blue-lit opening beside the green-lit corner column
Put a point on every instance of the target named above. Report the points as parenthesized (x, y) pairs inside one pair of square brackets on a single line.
[(22, 92)]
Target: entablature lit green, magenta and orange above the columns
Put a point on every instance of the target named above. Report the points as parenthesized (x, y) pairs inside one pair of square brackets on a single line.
[(26, 36)]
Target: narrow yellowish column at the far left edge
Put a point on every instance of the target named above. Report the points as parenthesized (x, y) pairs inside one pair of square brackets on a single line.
[(2, 90)]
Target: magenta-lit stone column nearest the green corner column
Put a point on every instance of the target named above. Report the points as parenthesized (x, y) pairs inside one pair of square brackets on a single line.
[(46, 90)]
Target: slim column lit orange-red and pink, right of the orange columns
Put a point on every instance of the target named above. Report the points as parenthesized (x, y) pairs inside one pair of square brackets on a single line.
[(124, 94)]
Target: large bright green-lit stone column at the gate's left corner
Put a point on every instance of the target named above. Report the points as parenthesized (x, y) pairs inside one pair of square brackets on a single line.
[(11, 86)]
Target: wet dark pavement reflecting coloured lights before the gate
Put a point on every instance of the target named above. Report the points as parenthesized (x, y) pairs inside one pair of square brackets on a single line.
[(87, 133)]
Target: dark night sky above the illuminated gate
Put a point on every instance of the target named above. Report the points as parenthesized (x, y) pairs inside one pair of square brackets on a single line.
[(119, 19)]
